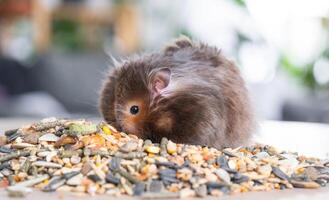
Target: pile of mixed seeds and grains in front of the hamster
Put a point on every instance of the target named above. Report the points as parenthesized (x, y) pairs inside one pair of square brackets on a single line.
[(80, 156)]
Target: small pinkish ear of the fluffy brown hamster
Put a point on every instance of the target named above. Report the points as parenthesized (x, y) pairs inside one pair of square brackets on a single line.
[(159, 80)]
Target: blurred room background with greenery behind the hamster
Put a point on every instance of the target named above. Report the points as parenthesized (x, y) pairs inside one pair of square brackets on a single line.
[(54, 54)]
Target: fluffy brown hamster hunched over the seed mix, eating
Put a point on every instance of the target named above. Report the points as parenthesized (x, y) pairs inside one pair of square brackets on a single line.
[(189, 93)]
